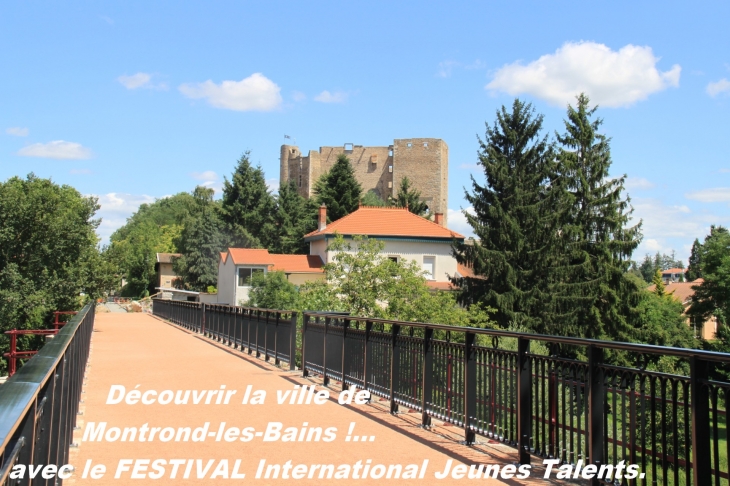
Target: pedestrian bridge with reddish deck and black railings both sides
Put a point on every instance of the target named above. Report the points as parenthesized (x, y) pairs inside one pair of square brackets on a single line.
[(213, 393)]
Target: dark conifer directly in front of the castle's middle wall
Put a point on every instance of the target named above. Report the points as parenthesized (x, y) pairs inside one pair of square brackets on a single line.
[(338, 189)]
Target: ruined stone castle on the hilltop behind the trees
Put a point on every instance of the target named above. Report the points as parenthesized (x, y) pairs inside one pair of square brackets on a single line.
[(425, 161)]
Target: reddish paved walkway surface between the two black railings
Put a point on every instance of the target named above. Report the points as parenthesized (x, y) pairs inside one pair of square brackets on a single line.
[(141, 352)]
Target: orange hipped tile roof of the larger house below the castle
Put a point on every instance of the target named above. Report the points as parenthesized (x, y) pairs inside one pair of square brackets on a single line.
[(379, 221)]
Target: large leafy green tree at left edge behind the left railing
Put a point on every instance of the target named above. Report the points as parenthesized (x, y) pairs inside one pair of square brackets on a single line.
[(49, 258)]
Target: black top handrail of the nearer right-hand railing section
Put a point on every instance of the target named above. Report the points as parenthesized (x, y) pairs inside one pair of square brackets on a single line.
[(617, 345)]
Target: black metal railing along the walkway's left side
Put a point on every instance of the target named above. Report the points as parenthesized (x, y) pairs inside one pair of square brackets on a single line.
[(39, 403)]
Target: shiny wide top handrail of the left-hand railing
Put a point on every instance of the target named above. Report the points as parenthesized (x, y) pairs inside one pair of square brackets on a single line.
[(19, 393)]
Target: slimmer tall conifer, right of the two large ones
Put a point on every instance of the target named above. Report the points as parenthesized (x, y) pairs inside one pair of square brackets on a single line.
[(595, 230)]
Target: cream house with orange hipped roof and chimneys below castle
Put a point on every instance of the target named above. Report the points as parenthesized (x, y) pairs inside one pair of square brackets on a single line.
[(406, 236)]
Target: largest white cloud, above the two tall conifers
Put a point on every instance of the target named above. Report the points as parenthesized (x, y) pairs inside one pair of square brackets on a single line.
[(610, 78)]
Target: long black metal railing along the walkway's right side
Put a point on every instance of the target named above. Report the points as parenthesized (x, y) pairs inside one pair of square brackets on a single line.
[(491, 383)]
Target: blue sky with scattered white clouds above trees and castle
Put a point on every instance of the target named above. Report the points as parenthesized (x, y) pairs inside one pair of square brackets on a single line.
[(132, 101)]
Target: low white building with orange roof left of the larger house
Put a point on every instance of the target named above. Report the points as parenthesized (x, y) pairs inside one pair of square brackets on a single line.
[(237, 265)]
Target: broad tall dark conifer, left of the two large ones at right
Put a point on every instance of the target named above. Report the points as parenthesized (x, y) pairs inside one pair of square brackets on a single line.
[(515, 220)]
